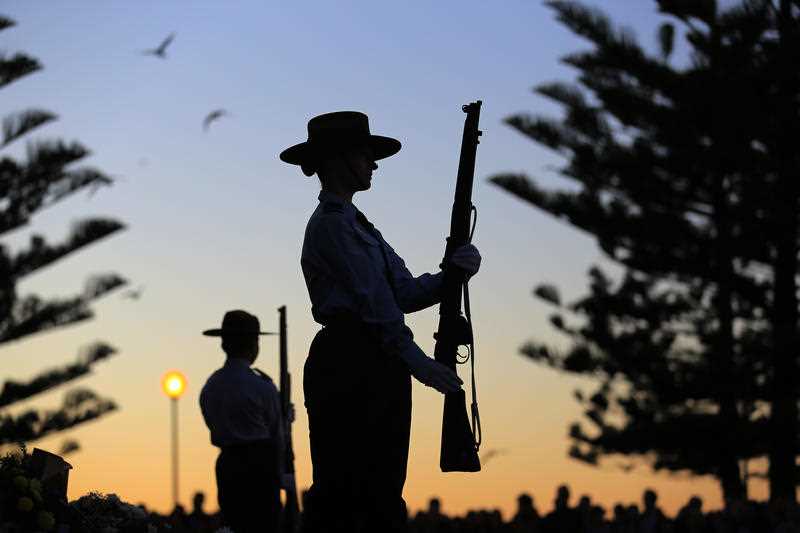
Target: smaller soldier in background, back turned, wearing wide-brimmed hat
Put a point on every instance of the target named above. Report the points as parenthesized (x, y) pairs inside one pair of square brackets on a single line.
[(242, 411)]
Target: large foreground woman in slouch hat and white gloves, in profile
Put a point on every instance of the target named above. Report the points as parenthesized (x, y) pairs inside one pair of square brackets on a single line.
[(357, 376)]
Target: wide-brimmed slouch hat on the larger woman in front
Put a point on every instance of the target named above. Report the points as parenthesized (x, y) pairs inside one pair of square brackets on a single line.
[(334, 132)]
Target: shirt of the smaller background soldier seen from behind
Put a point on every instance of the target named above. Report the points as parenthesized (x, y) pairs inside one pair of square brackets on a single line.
[(239, 406)]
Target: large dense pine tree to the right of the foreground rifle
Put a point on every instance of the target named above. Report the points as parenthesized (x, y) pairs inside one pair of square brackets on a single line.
[(677, 175)]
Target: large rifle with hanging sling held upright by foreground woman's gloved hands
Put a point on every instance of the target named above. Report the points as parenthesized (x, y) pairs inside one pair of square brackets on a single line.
[(460, 441)]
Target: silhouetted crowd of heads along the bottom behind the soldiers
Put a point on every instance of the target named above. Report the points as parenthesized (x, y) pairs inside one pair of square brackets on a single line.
[(585, 517)]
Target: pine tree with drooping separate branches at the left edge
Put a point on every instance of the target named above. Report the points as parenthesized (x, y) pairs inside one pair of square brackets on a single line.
[(45, 176)]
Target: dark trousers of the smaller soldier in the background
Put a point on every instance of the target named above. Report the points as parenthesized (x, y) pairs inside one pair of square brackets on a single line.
[(248, 487)]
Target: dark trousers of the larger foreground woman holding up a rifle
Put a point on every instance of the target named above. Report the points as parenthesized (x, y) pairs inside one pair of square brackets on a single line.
[(359, 414)]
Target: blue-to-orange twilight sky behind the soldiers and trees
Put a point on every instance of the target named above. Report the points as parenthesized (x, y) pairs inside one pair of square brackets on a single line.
[(215, 220)]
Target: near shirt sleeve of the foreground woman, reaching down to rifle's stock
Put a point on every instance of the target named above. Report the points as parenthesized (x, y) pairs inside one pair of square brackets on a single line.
[(349, 261)]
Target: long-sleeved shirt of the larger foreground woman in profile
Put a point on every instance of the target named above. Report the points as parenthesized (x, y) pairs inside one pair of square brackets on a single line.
[(350, 270)]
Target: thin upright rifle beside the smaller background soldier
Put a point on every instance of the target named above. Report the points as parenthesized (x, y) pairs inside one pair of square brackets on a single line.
[(291, 509)]
